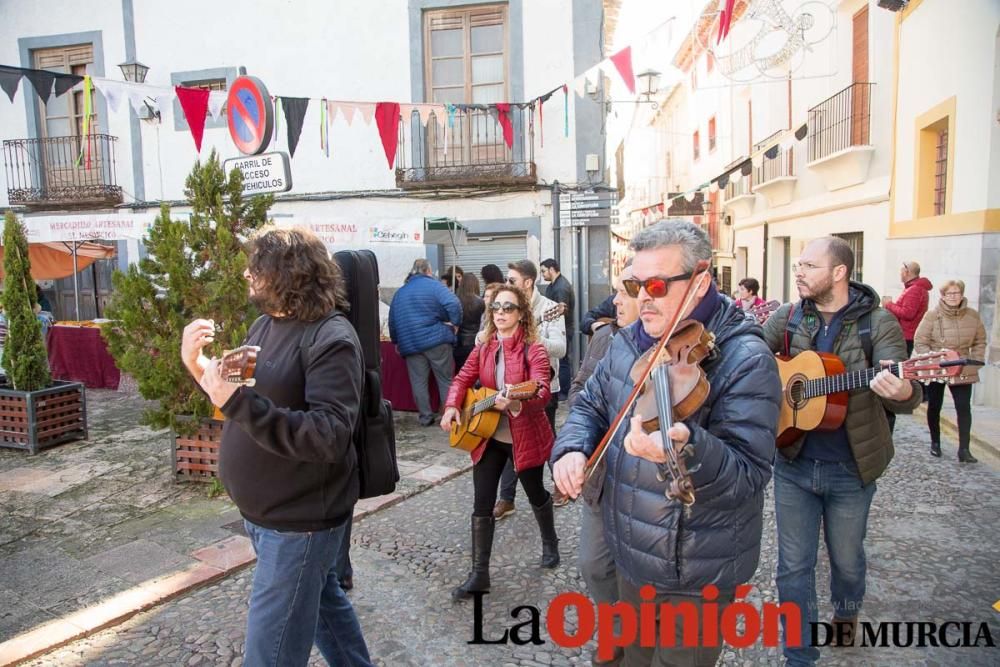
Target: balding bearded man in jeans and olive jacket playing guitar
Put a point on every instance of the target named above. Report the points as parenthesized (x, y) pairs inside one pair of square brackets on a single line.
[(829, 478)]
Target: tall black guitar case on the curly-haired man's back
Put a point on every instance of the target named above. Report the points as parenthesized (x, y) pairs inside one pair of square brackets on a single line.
[(375, 438)]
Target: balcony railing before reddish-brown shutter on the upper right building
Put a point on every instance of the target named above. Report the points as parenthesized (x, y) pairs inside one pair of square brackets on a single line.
[(841, 121)]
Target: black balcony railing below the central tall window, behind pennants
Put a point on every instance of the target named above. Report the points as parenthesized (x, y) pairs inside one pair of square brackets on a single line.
[(471, 152)]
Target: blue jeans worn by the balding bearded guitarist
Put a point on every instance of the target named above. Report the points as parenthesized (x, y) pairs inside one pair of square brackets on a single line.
[(807, 492)]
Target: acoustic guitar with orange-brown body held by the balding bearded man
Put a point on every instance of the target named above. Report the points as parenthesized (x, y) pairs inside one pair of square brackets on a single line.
[(815, 387)]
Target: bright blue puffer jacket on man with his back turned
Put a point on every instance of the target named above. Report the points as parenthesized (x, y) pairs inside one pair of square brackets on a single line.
[(421, 315)]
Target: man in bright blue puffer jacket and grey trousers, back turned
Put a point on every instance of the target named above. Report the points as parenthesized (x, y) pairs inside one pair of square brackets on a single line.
[(423, 319)]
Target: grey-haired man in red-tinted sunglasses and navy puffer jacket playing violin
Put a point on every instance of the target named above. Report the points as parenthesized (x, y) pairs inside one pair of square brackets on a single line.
[(653, 539)]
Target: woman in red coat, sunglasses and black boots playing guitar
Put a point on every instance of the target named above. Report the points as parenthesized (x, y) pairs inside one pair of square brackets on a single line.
[(510, 354)]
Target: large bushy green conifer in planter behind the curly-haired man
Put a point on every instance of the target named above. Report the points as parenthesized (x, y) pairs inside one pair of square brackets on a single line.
[(193, 269)]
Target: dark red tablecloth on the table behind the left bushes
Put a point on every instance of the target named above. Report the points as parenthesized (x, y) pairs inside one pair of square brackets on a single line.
[(80, 354)]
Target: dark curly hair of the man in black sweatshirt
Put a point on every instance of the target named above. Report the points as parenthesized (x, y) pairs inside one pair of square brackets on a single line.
[(293, 275)]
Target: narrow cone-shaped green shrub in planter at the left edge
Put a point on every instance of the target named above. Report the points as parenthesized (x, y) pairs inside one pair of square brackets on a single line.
[(24, 357)]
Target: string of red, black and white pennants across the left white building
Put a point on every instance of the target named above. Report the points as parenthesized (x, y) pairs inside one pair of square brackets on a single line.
[(196, 104)]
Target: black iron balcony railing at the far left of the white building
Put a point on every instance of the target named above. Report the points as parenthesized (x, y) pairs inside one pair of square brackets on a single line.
[(44, 172)]
